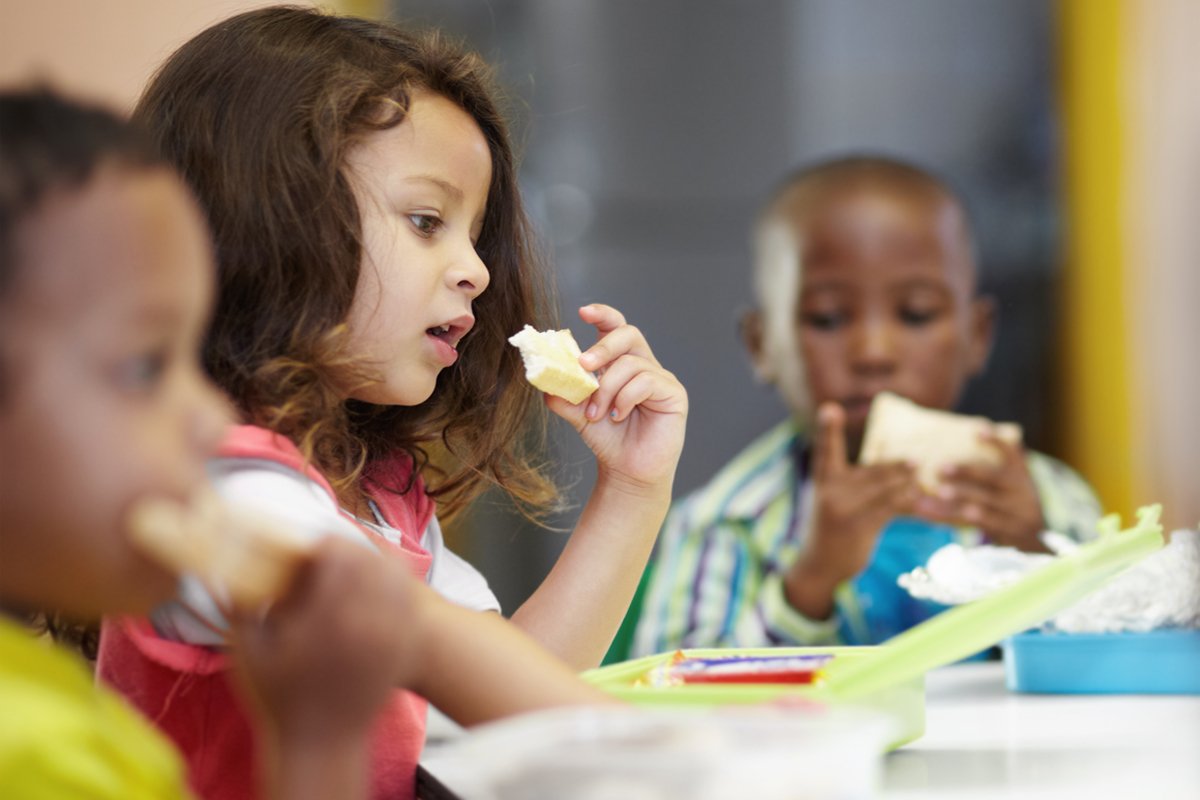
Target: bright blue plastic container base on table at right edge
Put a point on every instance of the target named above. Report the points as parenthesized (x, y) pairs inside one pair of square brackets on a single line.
[(1159, 663)]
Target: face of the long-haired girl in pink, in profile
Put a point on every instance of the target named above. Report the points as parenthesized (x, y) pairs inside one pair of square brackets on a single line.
[(422, 189)]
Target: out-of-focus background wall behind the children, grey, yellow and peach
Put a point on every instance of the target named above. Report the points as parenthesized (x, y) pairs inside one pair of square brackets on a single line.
[(653, 130)]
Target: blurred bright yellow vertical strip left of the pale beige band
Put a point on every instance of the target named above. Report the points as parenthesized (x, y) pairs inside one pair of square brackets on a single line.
[(1095, 416)]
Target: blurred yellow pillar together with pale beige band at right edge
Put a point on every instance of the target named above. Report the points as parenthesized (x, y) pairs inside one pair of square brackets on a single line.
[(1130, 413)]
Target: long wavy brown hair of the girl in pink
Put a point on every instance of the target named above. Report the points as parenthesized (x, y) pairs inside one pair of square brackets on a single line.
[(259, 115)]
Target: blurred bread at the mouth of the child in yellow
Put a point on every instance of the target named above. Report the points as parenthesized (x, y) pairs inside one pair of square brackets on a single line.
[(233, 552)]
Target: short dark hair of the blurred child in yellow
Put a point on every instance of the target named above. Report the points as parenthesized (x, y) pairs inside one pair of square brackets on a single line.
[(49, 146)]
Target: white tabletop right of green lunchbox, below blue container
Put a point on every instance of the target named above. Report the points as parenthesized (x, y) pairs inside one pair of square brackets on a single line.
[(985, 742)]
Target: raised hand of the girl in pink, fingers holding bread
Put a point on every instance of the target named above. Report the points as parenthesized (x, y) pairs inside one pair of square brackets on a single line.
[(635, 422)]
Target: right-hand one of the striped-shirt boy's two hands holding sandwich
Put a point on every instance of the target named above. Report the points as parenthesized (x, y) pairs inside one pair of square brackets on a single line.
[(1001, 501)]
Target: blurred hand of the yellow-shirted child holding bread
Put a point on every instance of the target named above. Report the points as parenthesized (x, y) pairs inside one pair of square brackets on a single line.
[(322, 661)]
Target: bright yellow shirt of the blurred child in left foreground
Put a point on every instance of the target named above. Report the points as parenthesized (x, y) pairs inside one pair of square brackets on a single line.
[(63, 737)]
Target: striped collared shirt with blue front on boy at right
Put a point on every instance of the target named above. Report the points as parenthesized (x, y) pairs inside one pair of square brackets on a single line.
[(719, 564)]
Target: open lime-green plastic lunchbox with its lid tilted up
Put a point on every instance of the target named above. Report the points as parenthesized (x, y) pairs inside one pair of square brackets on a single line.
[(891, 678)]
